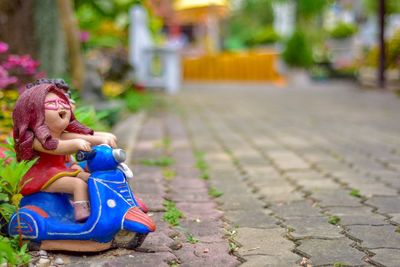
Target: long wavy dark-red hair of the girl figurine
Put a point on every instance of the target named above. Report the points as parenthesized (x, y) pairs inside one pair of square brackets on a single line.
[(28, 118)]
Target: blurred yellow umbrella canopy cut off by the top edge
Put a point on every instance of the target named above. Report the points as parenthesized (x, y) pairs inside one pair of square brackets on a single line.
[(196, 11)]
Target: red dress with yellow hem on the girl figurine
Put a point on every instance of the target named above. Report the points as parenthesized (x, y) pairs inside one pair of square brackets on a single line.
[(46, 170)]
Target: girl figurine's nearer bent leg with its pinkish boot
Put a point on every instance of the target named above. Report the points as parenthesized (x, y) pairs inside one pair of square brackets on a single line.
[(78, 188)]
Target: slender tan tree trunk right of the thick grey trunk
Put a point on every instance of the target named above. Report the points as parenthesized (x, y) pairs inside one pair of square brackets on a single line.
[(71, 33)]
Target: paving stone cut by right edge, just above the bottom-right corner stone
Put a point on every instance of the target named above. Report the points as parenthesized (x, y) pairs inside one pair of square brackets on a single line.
[(373, 237)]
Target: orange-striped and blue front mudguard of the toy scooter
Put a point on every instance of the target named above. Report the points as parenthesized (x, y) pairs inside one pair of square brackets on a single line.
[(137, 221)]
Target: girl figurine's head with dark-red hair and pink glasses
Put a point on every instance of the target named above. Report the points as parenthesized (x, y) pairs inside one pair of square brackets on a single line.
[(39, 111)]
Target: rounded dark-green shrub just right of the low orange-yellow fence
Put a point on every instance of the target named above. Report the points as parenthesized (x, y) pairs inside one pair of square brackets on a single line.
[(298, 51)]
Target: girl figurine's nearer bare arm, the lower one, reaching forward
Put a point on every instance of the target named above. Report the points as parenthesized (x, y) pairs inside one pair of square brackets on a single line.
[(64, 147)]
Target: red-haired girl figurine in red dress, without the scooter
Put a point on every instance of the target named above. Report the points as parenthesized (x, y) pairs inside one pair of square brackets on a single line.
[(45, 127)]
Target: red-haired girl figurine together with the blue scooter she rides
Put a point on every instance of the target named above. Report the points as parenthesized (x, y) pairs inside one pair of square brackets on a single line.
[(46, 128)]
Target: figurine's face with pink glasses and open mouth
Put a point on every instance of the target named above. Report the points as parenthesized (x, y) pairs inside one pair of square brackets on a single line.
[(57, 113)]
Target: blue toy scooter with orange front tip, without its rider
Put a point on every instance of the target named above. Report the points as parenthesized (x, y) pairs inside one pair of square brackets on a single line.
[(46, 219)]
